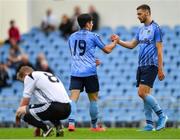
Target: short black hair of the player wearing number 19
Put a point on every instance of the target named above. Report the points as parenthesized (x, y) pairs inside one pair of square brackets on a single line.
[(83, 19)]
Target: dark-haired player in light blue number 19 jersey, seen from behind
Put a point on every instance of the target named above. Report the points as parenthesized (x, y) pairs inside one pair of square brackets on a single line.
[(83, 68)]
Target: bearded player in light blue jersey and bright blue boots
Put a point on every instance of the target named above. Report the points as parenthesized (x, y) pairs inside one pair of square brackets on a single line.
[(149, 39)]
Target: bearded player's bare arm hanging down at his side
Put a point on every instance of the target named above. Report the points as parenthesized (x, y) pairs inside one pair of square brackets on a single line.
[(161, 75)]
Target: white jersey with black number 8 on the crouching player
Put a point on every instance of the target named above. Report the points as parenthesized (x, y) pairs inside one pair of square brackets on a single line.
[(46, 87)]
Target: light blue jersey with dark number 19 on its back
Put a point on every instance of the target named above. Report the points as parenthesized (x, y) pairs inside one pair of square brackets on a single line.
[(82, 46)]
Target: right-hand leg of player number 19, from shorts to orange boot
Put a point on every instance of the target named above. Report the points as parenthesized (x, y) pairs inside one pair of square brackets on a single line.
[(92, 88)]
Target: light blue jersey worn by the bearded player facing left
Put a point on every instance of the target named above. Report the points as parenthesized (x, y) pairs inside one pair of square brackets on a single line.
[(148, 36)]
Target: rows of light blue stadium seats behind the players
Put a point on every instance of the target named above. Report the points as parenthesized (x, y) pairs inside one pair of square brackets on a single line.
[(117, 75)]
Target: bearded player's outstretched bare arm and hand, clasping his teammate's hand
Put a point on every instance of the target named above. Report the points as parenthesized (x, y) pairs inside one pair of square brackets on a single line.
[(127, 44)]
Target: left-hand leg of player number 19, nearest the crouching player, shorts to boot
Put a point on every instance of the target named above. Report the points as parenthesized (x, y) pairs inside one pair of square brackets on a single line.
[(76, 86)]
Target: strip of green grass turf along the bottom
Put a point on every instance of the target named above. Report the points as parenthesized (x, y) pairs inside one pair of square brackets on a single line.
[(85, 133)]
